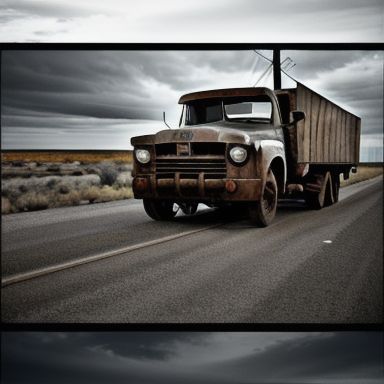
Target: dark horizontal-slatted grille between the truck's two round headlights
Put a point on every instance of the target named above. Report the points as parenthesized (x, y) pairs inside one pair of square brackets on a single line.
[(188, 166)]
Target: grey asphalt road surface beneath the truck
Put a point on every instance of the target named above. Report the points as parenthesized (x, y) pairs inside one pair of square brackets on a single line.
[(323, 267)]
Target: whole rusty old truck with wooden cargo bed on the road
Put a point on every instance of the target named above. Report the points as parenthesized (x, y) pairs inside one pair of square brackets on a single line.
[(247, 148)]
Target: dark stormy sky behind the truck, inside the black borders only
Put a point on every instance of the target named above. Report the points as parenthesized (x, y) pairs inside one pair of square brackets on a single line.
[(140, 85)]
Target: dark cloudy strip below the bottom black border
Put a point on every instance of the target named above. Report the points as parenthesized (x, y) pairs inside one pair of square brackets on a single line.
[(192, 358)]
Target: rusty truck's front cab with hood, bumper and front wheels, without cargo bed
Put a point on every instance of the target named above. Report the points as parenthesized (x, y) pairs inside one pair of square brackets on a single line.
[(228, 150)]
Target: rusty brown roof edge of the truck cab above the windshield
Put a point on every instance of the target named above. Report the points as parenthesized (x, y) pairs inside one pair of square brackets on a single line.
[(228, 92)]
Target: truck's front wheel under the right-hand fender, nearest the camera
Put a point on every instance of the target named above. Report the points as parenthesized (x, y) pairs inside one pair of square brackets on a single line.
[(263, 212)]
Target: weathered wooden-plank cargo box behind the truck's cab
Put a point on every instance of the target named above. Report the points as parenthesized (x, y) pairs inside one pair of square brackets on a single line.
[(328, 135)]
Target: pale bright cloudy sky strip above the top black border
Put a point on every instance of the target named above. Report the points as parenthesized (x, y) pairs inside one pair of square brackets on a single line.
[(224, 21)]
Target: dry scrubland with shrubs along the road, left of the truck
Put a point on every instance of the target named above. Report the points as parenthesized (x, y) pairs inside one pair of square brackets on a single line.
[(35, 186)]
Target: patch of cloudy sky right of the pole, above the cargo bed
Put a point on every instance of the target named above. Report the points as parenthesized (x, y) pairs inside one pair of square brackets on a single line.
[(352, 79)]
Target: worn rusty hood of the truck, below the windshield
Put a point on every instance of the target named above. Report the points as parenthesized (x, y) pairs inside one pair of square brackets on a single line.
[(222, 131)]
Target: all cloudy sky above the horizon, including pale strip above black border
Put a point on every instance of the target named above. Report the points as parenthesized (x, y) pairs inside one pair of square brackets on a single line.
[(86, 98)]
